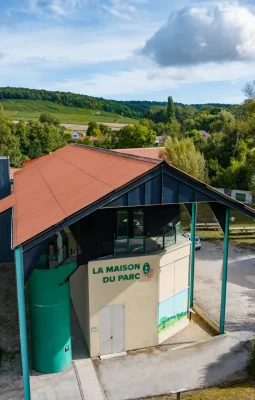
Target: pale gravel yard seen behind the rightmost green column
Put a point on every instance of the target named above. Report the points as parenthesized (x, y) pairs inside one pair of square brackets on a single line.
[(240, 310)]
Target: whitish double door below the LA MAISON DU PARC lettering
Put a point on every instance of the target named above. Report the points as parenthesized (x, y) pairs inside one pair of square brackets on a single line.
[(112, 321)]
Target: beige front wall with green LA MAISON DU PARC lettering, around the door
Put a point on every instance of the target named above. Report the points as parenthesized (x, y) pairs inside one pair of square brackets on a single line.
[(169, 273)]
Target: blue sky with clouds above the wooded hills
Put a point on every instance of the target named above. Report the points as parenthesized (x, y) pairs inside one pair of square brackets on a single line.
[(197, 51)]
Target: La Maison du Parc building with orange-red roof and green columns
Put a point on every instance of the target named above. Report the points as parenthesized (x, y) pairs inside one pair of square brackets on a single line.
[(106, 224)]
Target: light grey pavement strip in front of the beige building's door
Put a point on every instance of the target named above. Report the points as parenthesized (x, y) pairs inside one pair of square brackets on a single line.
[(162, 372)]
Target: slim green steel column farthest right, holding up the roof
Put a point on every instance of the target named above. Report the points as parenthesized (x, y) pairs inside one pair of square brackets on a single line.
[(224, 274)]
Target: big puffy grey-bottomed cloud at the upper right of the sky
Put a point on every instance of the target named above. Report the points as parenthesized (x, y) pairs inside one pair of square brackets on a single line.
[(221, 33)]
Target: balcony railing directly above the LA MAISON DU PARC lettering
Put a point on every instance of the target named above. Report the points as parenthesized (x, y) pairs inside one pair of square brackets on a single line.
[(142, 245)]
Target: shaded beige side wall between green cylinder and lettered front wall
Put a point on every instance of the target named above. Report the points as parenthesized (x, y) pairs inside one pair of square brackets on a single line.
[(80, 297)]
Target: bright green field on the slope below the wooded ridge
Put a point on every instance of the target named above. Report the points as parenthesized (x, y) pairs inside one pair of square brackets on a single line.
[(24, 110)]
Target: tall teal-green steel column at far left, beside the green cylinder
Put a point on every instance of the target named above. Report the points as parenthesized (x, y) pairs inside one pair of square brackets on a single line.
[(22, 321)]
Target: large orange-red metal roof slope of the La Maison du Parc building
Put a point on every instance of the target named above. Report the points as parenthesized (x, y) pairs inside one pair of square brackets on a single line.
[(60, 184)]
